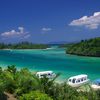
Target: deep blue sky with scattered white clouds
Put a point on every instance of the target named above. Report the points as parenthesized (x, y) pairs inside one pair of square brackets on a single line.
[(47, 21)]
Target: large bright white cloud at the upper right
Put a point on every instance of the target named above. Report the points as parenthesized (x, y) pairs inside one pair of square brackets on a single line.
[(91, 22)]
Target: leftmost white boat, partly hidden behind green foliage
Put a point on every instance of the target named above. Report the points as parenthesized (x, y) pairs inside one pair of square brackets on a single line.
[(48, 74)]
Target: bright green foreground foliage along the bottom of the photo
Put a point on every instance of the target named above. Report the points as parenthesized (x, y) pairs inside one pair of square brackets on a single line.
[(24, 85)]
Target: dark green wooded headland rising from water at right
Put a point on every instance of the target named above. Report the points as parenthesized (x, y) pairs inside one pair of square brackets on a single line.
[(86, 48)]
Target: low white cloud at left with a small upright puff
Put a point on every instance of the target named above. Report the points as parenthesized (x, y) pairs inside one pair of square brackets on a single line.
[(13, 33)]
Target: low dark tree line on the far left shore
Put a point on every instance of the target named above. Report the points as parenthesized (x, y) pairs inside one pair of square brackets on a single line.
[(23, 45)]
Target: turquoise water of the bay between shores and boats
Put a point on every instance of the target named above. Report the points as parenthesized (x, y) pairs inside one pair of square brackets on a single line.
[(52, 59)]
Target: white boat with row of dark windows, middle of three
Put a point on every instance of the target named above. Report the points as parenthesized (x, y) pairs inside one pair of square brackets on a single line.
[(78, 80)]
